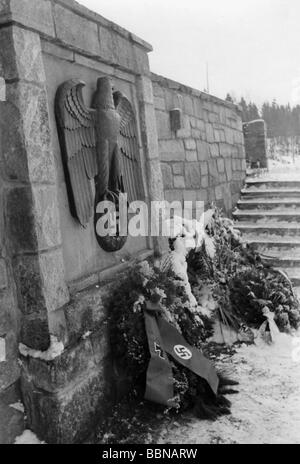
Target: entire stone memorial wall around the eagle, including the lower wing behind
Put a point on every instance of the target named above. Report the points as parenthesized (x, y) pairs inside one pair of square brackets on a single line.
[(54, 279)]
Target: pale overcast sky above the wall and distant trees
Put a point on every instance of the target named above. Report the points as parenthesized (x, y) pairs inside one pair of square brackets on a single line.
[(252, 46)]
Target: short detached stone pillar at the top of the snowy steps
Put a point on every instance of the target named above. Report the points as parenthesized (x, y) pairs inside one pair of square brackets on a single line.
[(255, 134)]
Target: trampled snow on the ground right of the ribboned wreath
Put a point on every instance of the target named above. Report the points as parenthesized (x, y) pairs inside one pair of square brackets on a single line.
[(267, 408)]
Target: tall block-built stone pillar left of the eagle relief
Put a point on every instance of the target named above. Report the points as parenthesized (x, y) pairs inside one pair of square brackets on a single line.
[(32, 231)]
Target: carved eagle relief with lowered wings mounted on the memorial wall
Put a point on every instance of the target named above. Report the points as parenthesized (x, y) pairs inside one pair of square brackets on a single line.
[(100, 145)]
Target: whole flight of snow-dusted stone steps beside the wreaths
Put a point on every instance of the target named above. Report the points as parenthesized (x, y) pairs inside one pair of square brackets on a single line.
[(268, 215)]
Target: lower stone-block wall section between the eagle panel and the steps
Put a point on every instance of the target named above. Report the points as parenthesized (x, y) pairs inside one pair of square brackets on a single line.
[(205, 159)]
